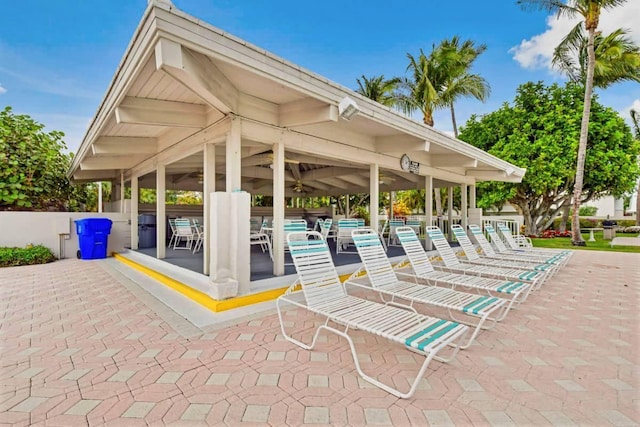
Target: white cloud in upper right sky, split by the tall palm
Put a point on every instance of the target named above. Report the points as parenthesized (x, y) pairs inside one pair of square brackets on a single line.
[(537, 51)]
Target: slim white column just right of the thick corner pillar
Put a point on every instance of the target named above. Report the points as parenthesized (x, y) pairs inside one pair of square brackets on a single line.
[(278, 209)]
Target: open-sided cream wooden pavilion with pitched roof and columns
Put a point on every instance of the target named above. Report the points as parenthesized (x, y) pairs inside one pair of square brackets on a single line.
[(192, 107)]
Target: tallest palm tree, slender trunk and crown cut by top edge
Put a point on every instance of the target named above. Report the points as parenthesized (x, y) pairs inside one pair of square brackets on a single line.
[(590, 11)]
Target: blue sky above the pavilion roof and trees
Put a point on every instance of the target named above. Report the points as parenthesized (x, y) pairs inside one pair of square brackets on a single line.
[(57, 58)]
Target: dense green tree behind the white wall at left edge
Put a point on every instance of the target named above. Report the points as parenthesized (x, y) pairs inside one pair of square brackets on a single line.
[(33, 165)]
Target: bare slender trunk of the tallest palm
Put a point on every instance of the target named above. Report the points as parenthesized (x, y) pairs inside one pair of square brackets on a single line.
[(576, 236)]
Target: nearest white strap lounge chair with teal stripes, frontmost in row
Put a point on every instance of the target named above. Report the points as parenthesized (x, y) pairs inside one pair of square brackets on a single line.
[(318, 289)]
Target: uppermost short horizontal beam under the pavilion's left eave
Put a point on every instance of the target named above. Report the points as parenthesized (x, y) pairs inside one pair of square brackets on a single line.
[(156, 112)]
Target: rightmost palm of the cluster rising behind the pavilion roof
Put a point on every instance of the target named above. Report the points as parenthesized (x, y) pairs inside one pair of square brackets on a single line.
[(458, 58)]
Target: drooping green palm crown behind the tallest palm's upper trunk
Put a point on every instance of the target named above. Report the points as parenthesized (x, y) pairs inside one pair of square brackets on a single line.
[(617, 58)]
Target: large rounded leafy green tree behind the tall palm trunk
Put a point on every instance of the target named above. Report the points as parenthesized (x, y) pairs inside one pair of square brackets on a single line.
[(540, 131)]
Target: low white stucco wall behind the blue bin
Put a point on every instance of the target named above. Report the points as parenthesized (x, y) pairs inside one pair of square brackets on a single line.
[(57, 231)]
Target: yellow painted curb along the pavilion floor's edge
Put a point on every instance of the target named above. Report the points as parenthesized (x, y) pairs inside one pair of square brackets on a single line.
[(202, 298)]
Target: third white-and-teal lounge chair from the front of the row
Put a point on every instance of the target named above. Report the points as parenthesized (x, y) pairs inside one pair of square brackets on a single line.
[(478, 278)]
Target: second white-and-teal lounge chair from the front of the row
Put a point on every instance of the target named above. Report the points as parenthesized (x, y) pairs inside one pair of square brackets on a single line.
[(384, 280)]
